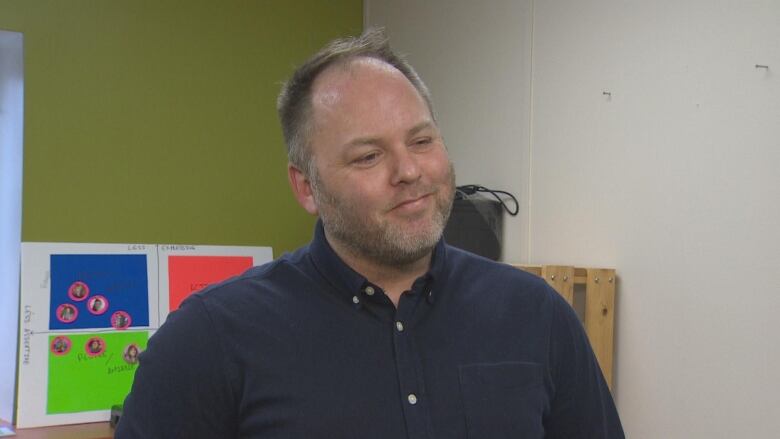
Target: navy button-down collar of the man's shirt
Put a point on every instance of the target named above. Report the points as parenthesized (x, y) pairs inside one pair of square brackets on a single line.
[(347, 282)]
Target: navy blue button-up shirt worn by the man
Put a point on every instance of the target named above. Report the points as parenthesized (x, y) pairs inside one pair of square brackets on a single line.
[(305, 347)]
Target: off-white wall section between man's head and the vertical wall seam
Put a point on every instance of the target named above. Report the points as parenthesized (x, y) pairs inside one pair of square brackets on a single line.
[(485, 45)]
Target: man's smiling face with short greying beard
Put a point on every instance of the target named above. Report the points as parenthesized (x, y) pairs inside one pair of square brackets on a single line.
[(383, 183)]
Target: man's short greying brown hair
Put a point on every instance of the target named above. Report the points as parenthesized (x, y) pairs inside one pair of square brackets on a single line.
[(294, 101)]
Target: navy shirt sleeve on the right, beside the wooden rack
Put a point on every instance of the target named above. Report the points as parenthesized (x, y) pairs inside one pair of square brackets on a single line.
[(582, 405)]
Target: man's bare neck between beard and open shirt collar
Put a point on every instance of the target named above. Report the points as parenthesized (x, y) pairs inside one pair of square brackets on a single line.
[(394, 279)]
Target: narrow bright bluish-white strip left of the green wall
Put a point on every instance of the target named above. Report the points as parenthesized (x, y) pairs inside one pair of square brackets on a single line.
[(11, 114)]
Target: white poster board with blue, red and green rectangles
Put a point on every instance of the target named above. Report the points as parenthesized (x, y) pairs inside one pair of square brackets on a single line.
[(88, 310)]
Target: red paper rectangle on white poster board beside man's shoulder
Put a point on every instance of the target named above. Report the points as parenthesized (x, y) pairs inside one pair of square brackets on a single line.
[(188, 274)]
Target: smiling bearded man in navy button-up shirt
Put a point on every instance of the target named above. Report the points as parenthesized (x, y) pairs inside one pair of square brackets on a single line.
[(377, 329)]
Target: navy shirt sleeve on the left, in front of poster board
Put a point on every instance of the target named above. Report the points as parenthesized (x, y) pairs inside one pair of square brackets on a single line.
[(181, 388)]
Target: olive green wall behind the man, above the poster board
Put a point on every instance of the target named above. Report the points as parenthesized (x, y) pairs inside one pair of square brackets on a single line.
[(154, 121)]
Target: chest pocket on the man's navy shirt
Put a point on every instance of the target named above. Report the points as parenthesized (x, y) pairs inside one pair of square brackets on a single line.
[(503, 400)]
